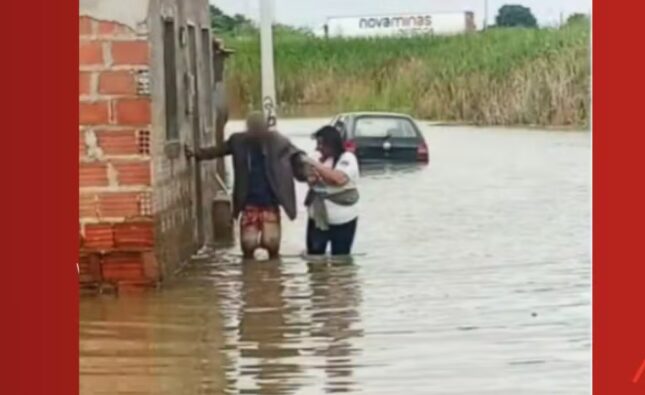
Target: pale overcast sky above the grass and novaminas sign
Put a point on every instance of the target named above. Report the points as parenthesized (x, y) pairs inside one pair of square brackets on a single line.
[(314, 13)]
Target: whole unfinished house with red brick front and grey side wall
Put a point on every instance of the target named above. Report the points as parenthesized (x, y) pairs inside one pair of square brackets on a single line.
[(145, 89)]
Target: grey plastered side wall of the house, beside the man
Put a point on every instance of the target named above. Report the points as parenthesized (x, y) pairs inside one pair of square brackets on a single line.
[(174, 189)]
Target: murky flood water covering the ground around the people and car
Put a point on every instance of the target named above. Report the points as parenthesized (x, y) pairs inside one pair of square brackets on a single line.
[(471, 276)]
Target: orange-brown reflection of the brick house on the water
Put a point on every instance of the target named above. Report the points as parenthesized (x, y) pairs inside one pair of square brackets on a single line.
[(167, 343)]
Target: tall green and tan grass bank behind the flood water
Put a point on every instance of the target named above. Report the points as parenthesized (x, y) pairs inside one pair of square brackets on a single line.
[(496, 77)]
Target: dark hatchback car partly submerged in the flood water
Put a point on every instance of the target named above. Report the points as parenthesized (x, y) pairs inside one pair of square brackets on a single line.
[(377, 136)]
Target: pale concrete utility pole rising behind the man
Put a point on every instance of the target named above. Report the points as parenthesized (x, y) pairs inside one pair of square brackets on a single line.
[(269, 102)]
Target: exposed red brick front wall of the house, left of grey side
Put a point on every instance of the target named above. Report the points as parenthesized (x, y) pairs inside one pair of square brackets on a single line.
[(115, 185)]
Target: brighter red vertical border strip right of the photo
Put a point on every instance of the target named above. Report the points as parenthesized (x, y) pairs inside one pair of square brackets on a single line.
[(619, 211)]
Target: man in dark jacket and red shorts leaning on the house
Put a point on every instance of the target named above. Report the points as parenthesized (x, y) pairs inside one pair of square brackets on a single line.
[(265, 164)]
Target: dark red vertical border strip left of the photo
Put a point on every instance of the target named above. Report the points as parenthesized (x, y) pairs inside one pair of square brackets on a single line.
[(39, 291)]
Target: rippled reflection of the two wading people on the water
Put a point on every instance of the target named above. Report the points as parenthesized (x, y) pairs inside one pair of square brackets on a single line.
[(286, 324)]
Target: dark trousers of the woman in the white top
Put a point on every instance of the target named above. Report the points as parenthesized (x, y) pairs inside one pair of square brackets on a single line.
[(341, 238)]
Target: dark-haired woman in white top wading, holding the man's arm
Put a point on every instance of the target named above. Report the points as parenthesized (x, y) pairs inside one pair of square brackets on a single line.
[(333, 197)]
